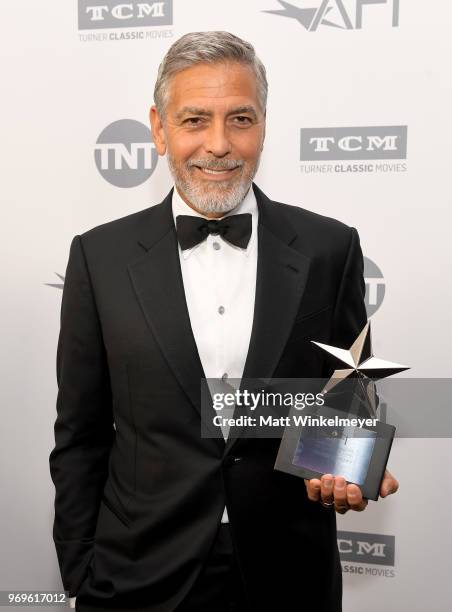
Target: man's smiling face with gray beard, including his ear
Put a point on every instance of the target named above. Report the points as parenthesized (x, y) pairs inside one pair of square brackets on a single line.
[(213, 132)]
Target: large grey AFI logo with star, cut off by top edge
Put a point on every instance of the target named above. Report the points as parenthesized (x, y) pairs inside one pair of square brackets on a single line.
[(333, 13)]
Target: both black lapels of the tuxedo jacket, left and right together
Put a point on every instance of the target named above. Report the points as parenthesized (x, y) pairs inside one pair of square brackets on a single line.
[(157, 280)]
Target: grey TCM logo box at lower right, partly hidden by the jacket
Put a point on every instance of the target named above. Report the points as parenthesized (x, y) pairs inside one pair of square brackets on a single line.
[(373, 548)]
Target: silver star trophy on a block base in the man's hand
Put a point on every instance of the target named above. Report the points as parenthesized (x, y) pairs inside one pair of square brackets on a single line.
[(358, 452)]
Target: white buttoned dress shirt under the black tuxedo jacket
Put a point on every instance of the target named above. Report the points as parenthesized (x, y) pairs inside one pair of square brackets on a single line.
[(220, 284)]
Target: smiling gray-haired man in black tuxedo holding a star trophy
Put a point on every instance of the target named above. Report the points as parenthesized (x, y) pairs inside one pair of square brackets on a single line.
[(149, 514)]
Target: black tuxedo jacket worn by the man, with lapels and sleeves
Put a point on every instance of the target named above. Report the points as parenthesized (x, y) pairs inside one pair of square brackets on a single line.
[(139, 492)]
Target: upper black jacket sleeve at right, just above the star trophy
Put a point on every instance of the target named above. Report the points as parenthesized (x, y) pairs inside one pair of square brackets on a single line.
[(350, 317)]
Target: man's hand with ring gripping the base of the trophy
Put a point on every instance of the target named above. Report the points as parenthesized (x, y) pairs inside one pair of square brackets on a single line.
[(334, 492)]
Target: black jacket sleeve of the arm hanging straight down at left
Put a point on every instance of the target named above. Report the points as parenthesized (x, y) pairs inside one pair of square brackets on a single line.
[(84, 429)]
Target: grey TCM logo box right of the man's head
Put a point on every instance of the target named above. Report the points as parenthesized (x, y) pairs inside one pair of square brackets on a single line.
[(375, 142)]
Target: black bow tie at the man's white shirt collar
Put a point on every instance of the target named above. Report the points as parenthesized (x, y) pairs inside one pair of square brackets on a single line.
[(192, 230)]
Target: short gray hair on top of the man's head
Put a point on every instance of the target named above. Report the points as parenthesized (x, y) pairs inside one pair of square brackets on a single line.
[(207, 47)]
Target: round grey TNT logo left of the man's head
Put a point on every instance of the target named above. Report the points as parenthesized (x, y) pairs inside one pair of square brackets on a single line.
[(124, 153)]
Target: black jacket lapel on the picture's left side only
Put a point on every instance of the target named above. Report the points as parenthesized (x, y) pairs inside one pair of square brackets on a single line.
[(158, 284)]
